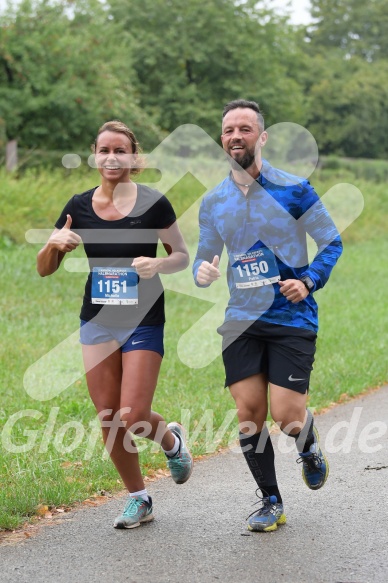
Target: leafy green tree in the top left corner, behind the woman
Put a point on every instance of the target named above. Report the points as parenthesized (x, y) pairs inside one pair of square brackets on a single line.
[(60, 77)]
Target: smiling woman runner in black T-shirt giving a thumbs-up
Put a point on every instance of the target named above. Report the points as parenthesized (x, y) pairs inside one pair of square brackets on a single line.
[(122, 315)]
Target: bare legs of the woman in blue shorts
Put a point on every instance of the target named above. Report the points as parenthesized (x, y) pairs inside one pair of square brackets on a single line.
[(122, 386)]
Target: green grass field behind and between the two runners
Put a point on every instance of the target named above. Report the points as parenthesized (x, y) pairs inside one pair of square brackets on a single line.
[(39, 313)]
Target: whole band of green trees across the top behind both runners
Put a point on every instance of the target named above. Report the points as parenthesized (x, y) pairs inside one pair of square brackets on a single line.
[(66, 66)]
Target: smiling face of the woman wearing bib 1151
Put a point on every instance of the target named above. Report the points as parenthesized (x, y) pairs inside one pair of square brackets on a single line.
[(114, 156)]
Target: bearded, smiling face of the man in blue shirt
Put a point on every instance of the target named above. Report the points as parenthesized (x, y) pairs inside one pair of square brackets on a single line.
[(241, 136)]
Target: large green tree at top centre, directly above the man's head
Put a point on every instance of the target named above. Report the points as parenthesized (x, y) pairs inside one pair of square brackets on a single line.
[(193, 57)]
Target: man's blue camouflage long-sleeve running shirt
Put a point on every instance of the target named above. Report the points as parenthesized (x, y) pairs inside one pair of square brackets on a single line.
[(270, 223)]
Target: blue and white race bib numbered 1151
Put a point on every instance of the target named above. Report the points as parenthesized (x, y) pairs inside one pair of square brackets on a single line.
[(115, 285)]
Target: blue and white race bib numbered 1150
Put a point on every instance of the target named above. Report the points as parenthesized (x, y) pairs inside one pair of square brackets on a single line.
[(254, 268)]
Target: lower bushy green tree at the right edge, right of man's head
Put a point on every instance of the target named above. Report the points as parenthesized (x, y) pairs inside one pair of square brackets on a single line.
[(348, 113)]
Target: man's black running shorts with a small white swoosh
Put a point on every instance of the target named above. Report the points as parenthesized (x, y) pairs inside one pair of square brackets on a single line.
[(284, 353)]
